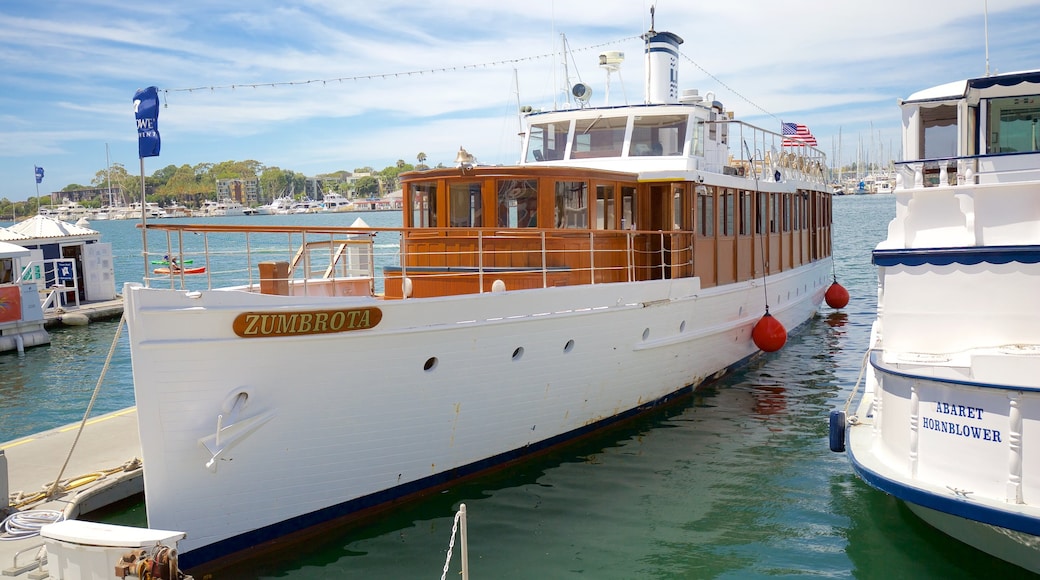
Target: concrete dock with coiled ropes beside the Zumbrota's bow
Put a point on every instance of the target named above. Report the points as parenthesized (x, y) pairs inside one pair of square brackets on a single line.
[(105, 468)]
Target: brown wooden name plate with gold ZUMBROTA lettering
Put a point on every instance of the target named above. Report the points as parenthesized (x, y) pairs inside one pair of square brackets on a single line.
[(265, 325)]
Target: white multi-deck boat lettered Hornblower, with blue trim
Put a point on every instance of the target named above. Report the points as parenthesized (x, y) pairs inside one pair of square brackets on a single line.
[(950, 418)]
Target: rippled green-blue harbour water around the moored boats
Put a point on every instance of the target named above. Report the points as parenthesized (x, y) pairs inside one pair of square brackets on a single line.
[(736, 482)]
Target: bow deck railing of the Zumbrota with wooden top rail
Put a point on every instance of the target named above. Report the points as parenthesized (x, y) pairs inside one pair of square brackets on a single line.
[(231, 256)]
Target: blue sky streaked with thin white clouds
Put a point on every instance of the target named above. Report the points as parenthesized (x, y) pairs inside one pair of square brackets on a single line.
[(324, 86)]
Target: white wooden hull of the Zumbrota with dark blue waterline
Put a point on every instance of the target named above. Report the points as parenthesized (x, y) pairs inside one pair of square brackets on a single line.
[(439, 389)]
